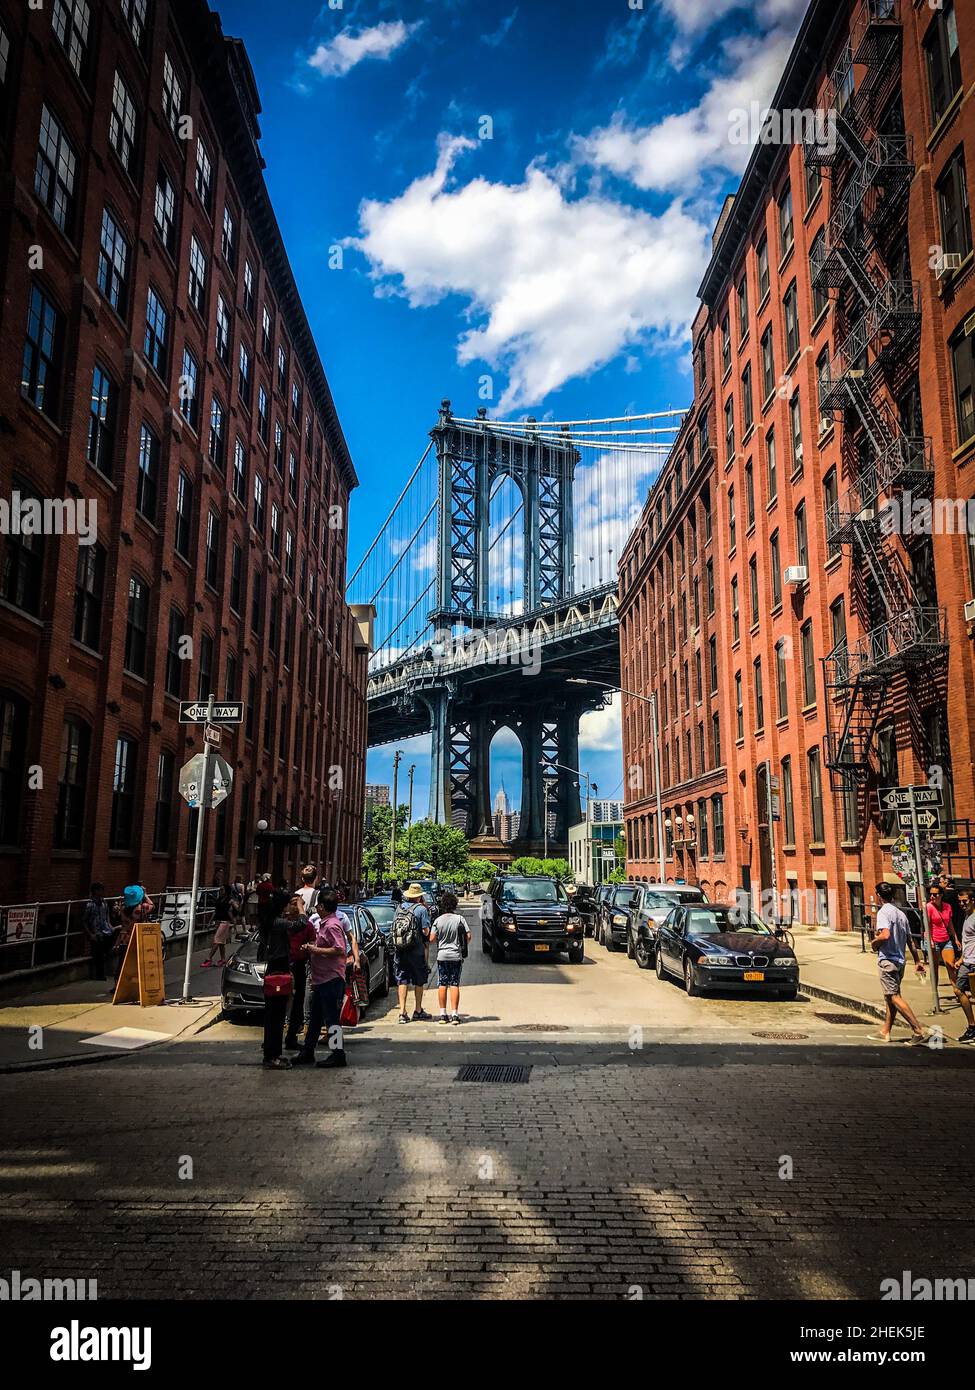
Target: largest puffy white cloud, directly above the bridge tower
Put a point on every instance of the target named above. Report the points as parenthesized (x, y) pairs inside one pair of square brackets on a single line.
[(557, 287)]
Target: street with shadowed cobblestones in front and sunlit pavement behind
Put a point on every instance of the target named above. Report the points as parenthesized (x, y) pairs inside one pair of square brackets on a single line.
[(660, 1147)]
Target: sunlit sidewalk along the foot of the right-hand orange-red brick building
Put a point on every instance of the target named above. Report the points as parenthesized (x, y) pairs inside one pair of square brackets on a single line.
[(834, 968)]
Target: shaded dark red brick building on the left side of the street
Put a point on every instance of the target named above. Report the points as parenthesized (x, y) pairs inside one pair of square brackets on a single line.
[(156, 362)]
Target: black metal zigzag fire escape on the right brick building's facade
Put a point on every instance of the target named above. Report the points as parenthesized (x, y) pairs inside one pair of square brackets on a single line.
[(871, 176)]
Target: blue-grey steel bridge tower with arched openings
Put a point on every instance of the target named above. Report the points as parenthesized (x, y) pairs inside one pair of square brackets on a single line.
[(472, 459)]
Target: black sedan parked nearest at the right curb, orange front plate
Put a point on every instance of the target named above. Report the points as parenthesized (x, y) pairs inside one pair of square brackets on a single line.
[(725, 949)]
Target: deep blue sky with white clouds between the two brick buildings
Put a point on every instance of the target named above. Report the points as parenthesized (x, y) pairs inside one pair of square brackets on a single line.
[(560, 256)]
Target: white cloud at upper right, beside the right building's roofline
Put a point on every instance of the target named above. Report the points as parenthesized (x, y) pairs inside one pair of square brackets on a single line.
[(675, 152)]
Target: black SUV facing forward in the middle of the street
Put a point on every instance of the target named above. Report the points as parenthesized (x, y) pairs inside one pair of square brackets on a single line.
[(531, 914)]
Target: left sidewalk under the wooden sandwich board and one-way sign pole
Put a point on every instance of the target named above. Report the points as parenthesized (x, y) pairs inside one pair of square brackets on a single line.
[(76, 1024)]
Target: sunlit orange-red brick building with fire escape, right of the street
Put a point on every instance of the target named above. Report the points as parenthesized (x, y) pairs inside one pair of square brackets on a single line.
[(835, 355)]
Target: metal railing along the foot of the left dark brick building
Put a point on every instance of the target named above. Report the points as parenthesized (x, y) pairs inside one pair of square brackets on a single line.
[(37, 935)]
